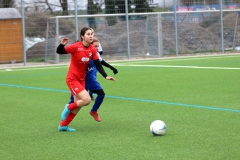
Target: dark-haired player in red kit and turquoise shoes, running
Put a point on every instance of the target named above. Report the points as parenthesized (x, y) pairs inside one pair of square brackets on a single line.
[(81, 54)]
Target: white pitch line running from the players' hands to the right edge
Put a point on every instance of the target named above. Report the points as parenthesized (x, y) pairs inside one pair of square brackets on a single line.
[(170, 66)]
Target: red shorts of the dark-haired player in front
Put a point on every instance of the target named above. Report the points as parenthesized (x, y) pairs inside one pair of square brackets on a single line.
[(74, 84)]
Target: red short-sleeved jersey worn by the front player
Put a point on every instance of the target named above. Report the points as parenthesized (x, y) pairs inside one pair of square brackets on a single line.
[(80, 58)]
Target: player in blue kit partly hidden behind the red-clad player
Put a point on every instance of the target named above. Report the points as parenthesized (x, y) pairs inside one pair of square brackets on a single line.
[(92, 85)]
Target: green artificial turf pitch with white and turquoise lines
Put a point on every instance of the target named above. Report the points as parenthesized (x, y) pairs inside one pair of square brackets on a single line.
[(197, 98)]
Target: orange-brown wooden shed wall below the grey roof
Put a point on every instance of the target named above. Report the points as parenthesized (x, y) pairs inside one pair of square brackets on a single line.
[(11, 48)]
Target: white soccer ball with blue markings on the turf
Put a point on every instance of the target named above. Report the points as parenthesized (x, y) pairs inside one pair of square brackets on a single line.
[(158, 128)]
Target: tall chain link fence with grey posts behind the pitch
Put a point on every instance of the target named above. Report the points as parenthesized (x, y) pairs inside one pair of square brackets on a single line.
[(30, 30)]
